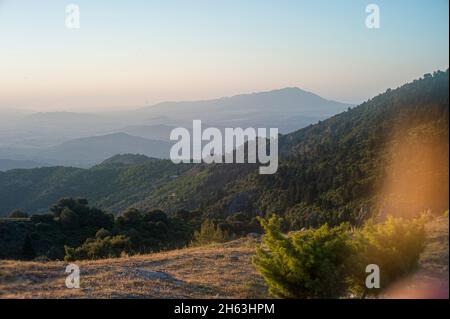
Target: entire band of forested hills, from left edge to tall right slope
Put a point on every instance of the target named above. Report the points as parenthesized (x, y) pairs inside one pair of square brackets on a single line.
[(351, 166)]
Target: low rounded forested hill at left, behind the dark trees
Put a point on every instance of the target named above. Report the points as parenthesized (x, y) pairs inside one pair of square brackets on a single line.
[(114, 185)]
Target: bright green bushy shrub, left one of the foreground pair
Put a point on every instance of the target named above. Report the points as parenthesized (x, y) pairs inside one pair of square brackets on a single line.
[(308, 264)]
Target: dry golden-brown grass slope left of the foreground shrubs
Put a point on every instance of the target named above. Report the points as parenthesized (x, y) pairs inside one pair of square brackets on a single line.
[(215, 271)]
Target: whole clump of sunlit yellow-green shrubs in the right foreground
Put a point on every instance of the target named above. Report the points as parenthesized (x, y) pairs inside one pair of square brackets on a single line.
[(331, 262)]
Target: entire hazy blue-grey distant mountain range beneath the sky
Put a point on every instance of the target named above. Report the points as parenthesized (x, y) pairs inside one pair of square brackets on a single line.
[(86, 139)]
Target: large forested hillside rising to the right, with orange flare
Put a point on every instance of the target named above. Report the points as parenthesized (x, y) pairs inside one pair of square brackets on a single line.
[(337, 169)]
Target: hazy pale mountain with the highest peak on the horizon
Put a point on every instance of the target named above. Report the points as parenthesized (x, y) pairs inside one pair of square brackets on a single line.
[(287, 109)]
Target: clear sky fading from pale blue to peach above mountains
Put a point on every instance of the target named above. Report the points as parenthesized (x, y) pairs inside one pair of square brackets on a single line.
[(129, 53)]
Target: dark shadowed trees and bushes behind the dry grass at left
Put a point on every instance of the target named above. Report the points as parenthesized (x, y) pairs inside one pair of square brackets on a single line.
[(76, 231)]
